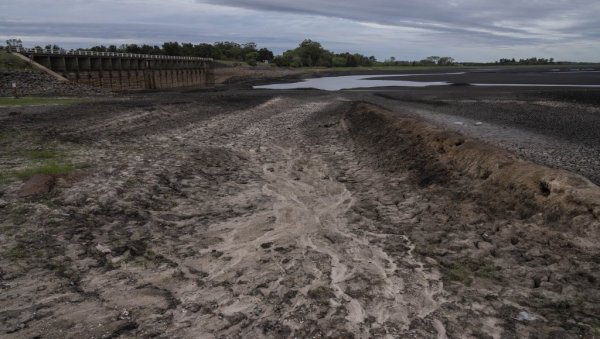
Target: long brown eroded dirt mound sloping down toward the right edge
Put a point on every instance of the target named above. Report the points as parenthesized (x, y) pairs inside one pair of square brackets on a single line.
[(565, 199)]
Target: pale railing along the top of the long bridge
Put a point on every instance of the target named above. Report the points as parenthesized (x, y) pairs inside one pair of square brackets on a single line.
[(52, 51)]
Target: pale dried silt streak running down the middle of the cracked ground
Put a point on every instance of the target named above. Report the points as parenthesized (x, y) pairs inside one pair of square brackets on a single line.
[(352, 284)]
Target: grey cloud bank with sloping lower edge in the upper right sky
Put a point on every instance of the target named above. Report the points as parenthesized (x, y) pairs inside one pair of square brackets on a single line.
[(515, 19)]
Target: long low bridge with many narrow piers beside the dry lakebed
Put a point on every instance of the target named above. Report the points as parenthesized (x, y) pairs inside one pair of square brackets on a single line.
[(121, 71)]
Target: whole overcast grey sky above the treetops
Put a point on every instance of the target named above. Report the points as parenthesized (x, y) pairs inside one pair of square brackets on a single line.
[(468, 30)]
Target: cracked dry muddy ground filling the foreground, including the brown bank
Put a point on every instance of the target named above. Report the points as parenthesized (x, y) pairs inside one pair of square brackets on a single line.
[(284, 215)]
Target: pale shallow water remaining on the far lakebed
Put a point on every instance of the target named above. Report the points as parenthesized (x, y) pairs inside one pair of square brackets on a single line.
[(367, 81)]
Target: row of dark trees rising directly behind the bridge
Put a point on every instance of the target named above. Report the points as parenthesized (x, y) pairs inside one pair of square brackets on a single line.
[(227, 50)]
